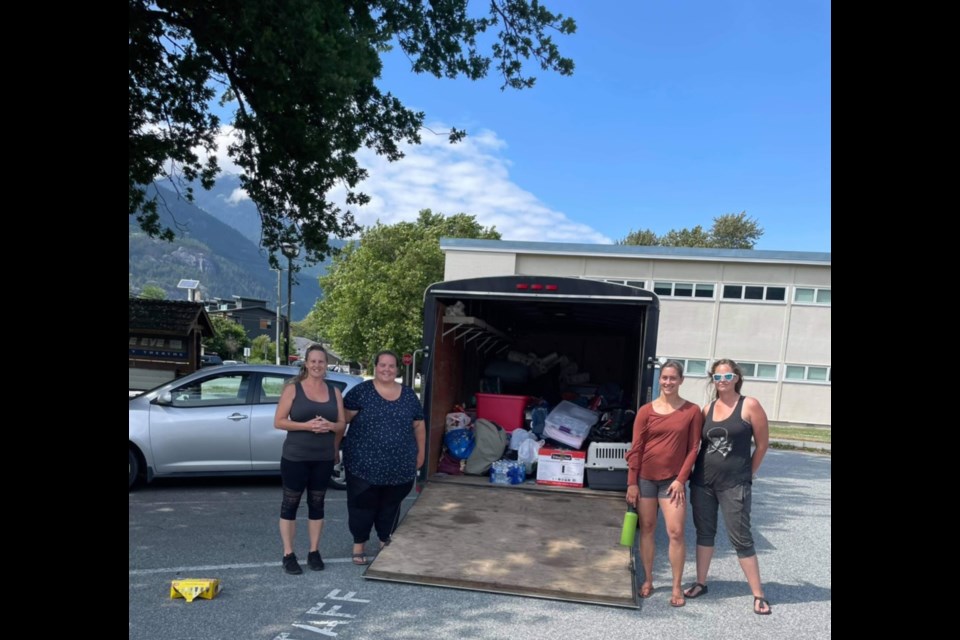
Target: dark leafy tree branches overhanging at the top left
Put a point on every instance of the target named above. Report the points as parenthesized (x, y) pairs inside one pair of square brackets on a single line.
[(301, 79)]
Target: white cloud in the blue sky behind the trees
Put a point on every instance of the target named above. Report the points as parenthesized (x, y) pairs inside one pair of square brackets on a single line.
[(469, 177)]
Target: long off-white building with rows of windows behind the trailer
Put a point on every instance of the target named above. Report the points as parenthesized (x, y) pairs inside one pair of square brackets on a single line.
[(767, 310)]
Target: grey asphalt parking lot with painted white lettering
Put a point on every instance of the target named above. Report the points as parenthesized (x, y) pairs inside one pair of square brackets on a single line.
[(227, 529)]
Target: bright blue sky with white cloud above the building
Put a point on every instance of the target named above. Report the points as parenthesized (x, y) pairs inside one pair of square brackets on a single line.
[(677, 112)]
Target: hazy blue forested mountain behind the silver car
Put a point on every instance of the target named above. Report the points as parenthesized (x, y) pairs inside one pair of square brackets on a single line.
[(221, 257)]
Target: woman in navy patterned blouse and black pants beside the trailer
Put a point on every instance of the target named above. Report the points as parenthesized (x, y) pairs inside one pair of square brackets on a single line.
[(382, 452)]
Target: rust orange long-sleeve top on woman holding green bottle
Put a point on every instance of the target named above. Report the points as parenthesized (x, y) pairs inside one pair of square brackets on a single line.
[(664, 445)]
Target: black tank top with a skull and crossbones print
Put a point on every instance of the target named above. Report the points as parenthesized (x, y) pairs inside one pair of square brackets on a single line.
[(724, 458)]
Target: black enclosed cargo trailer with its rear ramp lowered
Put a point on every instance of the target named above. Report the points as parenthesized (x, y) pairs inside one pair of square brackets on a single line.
[(534, 540)]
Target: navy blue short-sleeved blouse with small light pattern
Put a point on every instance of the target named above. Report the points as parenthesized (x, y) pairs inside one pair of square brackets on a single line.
[(380, 446)]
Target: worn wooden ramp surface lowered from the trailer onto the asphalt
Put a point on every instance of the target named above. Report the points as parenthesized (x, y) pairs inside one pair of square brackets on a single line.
[(519, 540)]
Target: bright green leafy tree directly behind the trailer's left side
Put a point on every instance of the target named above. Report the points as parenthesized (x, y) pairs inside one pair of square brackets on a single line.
[(373, 292)]
